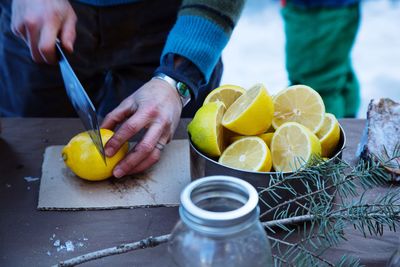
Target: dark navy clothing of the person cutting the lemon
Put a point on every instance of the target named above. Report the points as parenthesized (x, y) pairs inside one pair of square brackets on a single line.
[(116, 51)]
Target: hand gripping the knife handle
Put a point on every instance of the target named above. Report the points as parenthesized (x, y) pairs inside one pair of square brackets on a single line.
[(40, 22)]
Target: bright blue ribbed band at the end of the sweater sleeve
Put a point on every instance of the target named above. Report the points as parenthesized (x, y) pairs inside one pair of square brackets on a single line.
[(198, 40)]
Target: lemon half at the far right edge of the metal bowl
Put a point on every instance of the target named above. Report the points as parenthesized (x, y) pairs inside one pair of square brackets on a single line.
[(329, 135)]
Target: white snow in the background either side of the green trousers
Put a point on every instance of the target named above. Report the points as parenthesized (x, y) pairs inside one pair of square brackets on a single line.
[(256, 50)]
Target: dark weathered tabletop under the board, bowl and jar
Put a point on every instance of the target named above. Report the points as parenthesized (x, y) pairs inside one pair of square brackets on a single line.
[(27, 235)]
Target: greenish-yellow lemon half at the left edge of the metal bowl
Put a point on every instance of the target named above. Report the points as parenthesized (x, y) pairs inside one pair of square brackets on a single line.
[(206, 131)]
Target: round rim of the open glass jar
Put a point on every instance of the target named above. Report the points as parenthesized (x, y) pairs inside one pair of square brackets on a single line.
[(248, 207)]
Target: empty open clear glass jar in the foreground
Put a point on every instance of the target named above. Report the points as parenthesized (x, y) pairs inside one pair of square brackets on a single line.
[(219, 226)]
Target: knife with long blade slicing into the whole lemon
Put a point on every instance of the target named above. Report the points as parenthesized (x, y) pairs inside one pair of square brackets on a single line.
[(80, 101)]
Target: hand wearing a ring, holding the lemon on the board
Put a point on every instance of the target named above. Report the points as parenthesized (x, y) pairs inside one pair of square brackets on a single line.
[(155, 106)]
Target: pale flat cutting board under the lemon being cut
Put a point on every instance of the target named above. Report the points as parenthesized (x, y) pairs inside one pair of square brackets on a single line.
[(60, 189)]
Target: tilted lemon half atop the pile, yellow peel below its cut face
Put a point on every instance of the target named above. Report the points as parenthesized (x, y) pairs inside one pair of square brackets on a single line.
[(251, 113)]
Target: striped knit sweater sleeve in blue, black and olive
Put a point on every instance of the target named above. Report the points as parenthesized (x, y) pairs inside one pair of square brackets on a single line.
[(202, 30)]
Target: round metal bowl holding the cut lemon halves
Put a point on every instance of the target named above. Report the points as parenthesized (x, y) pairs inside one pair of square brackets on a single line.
[(202, 165)]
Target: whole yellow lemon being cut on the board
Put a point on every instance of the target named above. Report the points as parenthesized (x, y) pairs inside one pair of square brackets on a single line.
[(83, 158)]
